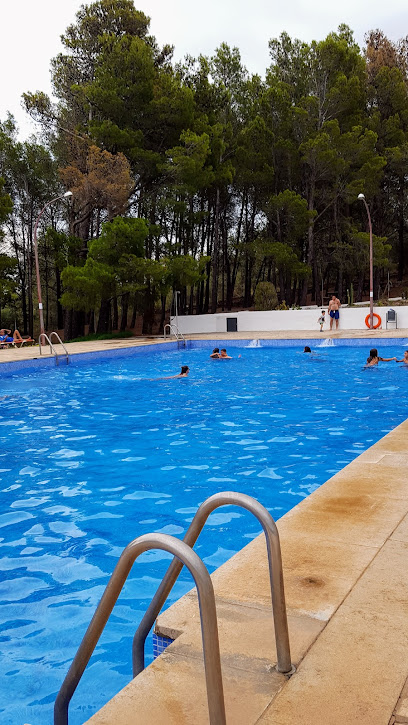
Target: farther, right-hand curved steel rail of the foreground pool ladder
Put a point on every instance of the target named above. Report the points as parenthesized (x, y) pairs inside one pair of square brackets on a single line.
[(226, 498)]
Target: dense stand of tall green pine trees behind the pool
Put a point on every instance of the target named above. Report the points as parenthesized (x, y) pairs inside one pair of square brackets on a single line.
[(204, 178)]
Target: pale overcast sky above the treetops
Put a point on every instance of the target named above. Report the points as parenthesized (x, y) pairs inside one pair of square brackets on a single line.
[(30, 33)]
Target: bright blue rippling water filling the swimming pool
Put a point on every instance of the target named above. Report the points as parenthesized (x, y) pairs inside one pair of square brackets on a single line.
[(93, 455)]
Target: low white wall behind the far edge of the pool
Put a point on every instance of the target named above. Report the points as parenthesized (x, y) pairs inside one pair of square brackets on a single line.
[(351, 318)]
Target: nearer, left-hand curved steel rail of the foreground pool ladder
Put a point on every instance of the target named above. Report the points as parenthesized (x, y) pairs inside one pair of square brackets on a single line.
[(209, 629)]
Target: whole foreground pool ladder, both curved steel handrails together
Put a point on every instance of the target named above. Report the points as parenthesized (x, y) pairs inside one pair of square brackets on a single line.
[(184, 555)]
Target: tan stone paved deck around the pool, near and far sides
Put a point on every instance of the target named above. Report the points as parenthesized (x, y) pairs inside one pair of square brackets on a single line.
[(344, 551)]
